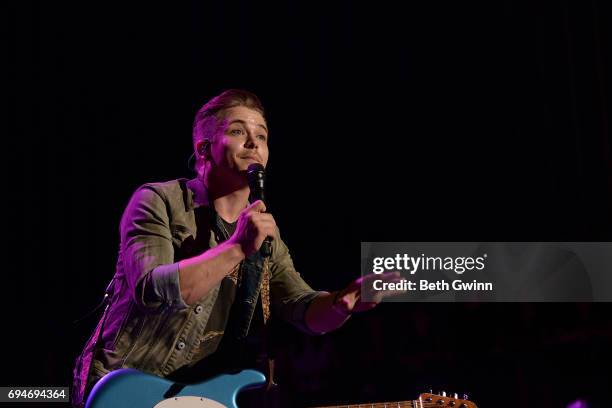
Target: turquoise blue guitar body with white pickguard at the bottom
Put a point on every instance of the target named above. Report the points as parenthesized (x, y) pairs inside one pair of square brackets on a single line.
[(129, 388)]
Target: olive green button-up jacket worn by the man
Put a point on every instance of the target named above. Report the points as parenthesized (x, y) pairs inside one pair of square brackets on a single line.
[(147, 325)]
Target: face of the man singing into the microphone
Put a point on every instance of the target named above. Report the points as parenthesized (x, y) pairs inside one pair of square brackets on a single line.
[(241, 139)]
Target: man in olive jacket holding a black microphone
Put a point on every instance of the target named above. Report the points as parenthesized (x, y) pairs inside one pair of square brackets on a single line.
[(190, 272)]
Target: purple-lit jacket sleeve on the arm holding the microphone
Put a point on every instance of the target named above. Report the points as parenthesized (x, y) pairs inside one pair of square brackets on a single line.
[(147, 252)]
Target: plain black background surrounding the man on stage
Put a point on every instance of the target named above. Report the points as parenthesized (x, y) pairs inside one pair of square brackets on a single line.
[(478, 121)]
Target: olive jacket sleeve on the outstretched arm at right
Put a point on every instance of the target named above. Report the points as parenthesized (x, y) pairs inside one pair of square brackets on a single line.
[(290, 295)]
